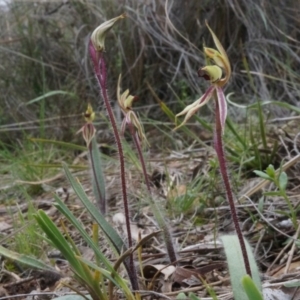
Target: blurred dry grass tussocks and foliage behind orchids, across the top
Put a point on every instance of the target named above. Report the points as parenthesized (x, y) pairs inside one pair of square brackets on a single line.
[(46, 78)]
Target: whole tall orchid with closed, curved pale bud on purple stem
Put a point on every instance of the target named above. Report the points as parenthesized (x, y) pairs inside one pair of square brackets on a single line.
[(97, 53)]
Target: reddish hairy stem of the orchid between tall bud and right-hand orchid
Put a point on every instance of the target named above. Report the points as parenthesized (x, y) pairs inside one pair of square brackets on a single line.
[(157, 213)]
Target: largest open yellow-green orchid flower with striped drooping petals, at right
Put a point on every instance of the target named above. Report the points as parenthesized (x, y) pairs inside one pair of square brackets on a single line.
[(218, 74)]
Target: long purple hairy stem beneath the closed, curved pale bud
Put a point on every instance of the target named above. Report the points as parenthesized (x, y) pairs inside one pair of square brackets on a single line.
[(101, 75)]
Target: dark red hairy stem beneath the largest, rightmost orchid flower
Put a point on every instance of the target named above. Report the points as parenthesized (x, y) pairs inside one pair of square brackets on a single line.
[(218, 139)]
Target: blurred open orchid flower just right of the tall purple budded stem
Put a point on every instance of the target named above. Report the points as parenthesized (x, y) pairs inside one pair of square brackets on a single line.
[(130, 118)]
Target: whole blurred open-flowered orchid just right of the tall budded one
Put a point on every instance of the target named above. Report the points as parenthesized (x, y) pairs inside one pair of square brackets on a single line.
[(137, 132)]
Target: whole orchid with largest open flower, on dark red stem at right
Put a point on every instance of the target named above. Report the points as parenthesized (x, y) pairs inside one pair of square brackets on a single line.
[(218, 74)]
